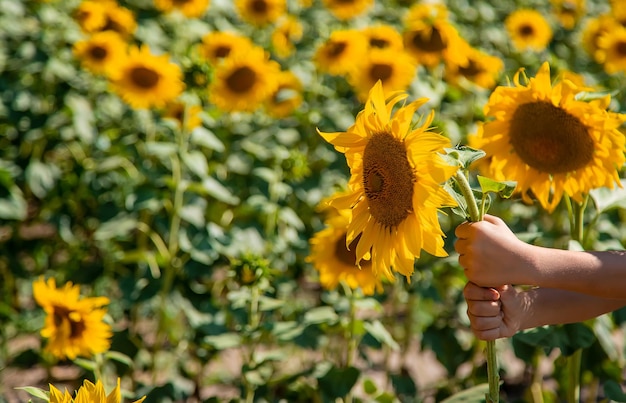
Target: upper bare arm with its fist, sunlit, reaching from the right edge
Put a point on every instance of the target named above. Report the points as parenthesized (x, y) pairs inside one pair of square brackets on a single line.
[(492, 255)]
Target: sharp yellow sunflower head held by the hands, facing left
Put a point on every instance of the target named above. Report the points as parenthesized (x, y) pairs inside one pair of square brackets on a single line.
[(395, 187)]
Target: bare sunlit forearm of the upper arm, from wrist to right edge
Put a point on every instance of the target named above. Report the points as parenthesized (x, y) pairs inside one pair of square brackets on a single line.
[(600, 274)]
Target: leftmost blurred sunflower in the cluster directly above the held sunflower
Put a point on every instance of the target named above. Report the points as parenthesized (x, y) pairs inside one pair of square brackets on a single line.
[(339, 54)]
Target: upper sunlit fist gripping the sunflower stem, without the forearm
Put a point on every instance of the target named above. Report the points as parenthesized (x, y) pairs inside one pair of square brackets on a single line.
[(492, 255)]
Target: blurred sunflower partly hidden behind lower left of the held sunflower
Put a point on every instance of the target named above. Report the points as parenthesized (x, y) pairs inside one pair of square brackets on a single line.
[(336, 261)]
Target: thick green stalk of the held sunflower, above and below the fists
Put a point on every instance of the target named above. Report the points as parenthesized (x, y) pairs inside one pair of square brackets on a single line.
[(492, 360)]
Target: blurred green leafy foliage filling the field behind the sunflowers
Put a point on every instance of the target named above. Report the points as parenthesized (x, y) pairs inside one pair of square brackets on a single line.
[(166, 224)]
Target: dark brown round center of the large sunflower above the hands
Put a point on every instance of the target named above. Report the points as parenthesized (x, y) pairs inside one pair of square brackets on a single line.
[(549, 139)]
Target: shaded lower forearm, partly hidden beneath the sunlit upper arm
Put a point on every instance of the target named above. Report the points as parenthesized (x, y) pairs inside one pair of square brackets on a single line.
[(549, 306)]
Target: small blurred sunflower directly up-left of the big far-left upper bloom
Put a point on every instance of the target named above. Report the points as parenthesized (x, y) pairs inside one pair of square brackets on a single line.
[(102, 52)]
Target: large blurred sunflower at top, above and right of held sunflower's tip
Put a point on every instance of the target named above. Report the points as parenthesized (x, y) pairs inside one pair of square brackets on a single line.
[(430, 38)]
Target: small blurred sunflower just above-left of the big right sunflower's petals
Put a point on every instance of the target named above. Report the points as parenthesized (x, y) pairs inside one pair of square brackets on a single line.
[(482, 69)]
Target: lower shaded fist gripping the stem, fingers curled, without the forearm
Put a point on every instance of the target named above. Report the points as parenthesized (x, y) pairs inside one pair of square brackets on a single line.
[(494, 312)]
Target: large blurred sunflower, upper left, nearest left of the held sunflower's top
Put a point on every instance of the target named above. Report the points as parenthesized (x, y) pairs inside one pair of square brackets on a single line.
[(244, 81)]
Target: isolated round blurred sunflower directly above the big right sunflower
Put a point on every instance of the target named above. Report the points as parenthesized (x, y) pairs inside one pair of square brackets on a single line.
[(528, 29)]
